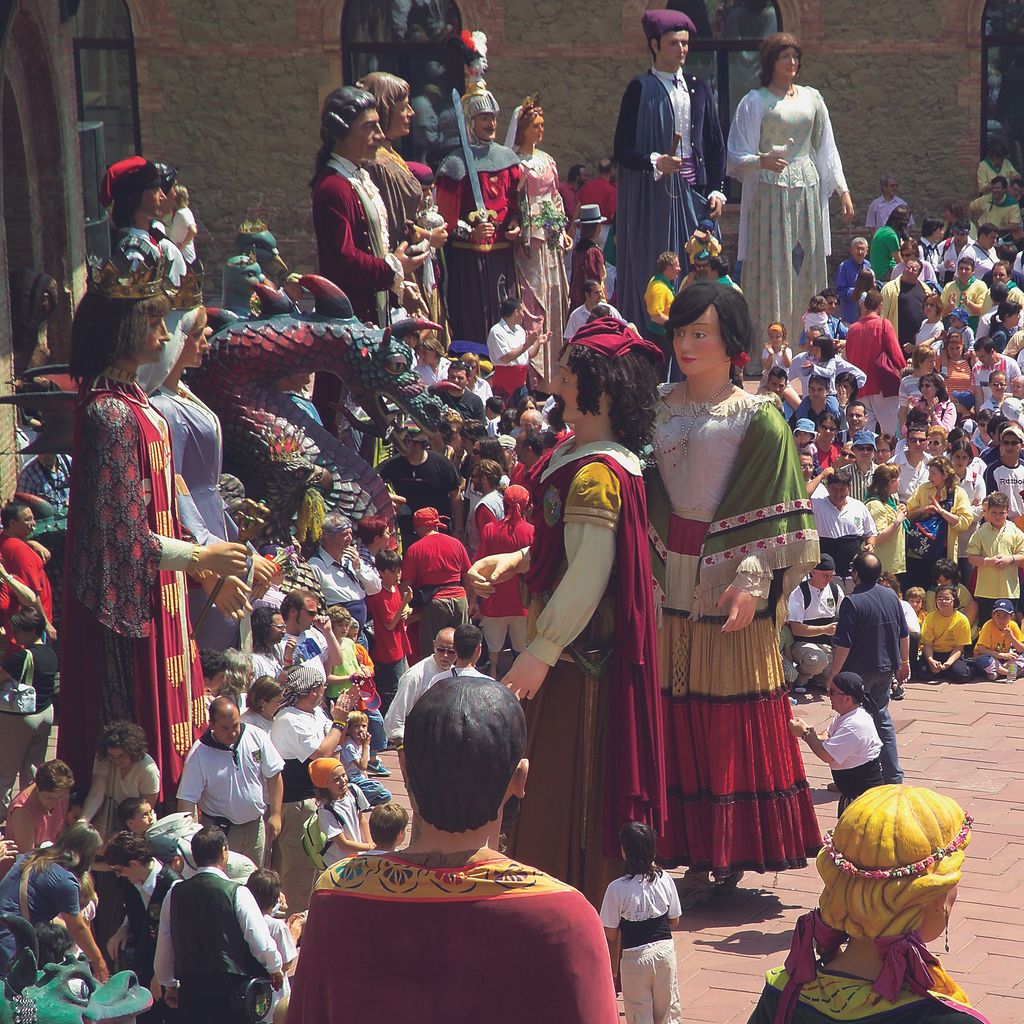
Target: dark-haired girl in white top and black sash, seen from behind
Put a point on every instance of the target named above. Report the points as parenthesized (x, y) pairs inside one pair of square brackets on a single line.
[(638, 913)]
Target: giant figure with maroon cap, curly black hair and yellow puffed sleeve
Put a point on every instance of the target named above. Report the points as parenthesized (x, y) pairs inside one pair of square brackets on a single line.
[(590, 671)]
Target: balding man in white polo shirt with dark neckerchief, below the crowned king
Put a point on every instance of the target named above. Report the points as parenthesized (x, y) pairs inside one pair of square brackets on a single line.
[(225, 776)]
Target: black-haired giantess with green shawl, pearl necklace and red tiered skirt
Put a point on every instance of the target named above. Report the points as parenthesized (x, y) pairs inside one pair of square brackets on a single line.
[(733, 518)]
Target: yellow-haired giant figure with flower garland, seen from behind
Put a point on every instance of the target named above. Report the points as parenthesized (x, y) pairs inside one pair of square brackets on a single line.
[(891, 869)]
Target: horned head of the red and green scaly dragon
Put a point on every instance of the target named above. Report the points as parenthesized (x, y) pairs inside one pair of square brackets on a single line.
[(379, 365)]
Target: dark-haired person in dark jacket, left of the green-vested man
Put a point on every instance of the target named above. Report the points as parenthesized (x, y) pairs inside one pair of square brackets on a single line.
[(145, 883)]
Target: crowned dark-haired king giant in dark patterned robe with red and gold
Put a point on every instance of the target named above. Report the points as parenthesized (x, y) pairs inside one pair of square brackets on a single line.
[(126, 651)]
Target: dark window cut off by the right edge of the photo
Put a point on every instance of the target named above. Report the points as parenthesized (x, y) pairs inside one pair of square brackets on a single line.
[(1003, 77)]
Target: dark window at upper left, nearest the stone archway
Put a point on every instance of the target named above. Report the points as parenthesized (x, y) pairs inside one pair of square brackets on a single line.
[(105, 74)]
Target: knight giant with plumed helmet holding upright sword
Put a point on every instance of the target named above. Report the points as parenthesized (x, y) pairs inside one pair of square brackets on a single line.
[(478, 195)]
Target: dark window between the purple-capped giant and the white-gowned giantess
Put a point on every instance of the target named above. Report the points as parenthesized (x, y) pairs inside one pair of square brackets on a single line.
[(724, 52)]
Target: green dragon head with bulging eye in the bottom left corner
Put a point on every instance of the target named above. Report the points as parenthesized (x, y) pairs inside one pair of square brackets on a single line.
[(63, 994)]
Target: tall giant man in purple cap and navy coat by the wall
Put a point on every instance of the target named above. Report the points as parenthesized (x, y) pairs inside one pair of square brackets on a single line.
[(671, 156)]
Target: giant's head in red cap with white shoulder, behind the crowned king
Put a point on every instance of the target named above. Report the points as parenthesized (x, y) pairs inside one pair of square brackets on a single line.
[(136, 191)]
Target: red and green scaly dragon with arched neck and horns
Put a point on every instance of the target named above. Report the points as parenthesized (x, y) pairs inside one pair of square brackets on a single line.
[(274, 447)]
